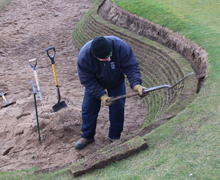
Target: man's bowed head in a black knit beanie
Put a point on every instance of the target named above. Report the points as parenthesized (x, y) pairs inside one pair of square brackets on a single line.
[(101, 48)]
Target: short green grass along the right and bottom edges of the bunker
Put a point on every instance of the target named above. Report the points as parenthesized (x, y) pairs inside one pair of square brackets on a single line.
[(188, 146)]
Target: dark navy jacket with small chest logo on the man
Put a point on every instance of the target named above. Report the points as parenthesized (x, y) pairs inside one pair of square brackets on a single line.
[(98, 75)]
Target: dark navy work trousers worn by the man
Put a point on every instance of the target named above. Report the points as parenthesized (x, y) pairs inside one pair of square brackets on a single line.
[(91, 108)]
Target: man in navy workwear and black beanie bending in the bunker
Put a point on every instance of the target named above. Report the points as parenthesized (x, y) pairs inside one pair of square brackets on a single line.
[(102, 65)]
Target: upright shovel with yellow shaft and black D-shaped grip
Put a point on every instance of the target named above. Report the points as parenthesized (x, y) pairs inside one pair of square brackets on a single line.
[(59, 105)]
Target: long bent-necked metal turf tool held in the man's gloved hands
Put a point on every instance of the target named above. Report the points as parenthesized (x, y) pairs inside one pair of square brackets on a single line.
[(145, 91)]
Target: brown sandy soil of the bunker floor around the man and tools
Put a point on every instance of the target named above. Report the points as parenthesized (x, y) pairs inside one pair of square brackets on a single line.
[(27, 29)]
